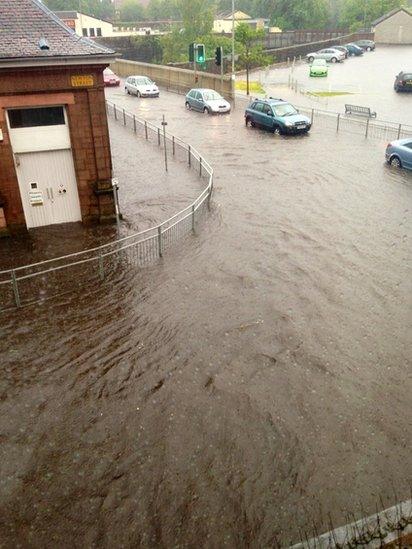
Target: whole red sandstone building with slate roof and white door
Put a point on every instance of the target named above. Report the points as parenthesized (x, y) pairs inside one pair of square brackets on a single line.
[(55, 160)]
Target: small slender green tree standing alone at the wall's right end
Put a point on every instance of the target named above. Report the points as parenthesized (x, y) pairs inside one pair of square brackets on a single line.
[(251, 51)]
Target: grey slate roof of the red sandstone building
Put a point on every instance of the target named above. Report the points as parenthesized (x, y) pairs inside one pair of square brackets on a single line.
[(24, 22)]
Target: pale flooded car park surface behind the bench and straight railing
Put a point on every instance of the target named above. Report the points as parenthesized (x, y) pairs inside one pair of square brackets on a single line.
[(367, 79)]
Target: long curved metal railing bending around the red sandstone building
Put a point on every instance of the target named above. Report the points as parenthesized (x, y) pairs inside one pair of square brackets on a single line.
[(45, 279)]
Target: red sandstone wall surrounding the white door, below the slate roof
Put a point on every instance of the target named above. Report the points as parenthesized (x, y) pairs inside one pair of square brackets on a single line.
[(88, 131)]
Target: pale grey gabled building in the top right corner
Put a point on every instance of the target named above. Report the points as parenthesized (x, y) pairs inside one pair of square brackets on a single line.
[(394, 27)]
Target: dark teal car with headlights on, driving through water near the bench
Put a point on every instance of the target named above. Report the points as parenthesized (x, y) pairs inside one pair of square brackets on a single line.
[(276, 115)]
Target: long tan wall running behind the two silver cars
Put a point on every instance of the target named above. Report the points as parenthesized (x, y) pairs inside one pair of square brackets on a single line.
[(172, 78)]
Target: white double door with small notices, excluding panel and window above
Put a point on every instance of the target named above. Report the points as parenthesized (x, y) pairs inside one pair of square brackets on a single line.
[(48, 187)]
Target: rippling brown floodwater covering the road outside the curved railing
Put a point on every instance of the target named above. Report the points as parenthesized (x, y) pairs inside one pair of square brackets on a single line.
[(254, 381)]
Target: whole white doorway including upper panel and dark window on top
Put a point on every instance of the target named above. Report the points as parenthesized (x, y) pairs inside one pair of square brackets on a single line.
[(41, 145)]
